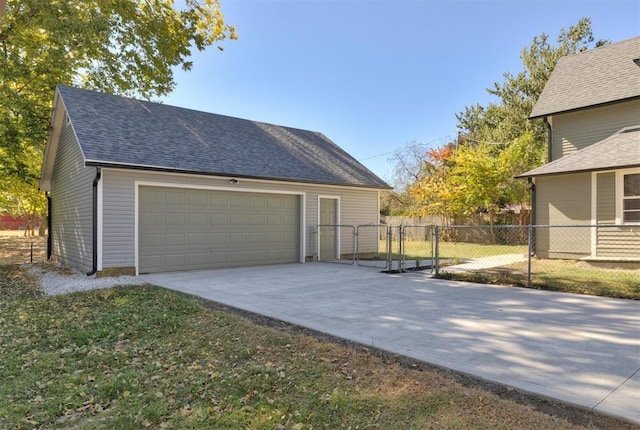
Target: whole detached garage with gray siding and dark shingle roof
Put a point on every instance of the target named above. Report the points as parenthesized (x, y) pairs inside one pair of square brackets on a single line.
[(138, 187)]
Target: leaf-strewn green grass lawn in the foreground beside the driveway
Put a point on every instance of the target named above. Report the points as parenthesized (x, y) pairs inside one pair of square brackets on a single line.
[(144, 357)]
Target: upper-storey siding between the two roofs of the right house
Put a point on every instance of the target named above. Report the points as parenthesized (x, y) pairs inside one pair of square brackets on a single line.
[(576, 130)]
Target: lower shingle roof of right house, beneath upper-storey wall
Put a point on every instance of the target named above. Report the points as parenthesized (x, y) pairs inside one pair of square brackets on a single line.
[(620, 150)]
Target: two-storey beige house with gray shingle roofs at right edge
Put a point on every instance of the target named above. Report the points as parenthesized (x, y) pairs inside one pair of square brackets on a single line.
[(591, 105)]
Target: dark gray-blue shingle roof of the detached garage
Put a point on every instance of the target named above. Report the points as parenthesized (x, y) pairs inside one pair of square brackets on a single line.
[(119, 131)]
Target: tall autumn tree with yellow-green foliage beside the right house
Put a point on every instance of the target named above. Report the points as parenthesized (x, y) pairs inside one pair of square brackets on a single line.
[(476, 178)]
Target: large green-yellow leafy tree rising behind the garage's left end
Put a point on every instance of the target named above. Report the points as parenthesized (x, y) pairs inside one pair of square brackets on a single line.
[(127, 47)]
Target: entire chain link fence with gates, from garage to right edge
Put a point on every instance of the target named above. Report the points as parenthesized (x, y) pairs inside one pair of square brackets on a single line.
[(559, 257)]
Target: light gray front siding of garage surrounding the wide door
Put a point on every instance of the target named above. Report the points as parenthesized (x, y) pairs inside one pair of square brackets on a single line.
[(357, 206)]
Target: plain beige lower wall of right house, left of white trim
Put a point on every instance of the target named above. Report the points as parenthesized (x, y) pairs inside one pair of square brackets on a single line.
[(563, 200)]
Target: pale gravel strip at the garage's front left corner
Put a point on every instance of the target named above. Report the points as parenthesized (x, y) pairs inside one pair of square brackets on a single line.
[(53, 282)]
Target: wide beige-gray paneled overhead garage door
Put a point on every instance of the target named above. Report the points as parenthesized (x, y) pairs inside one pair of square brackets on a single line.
[(187, 229)]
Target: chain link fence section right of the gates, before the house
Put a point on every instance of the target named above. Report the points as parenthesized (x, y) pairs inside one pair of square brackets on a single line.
[(563, 258)]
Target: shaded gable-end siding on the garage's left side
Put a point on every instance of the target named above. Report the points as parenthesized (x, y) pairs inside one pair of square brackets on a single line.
[(72, 205)]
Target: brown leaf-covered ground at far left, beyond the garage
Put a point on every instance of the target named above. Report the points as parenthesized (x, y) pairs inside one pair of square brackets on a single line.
[(15, 248)]
